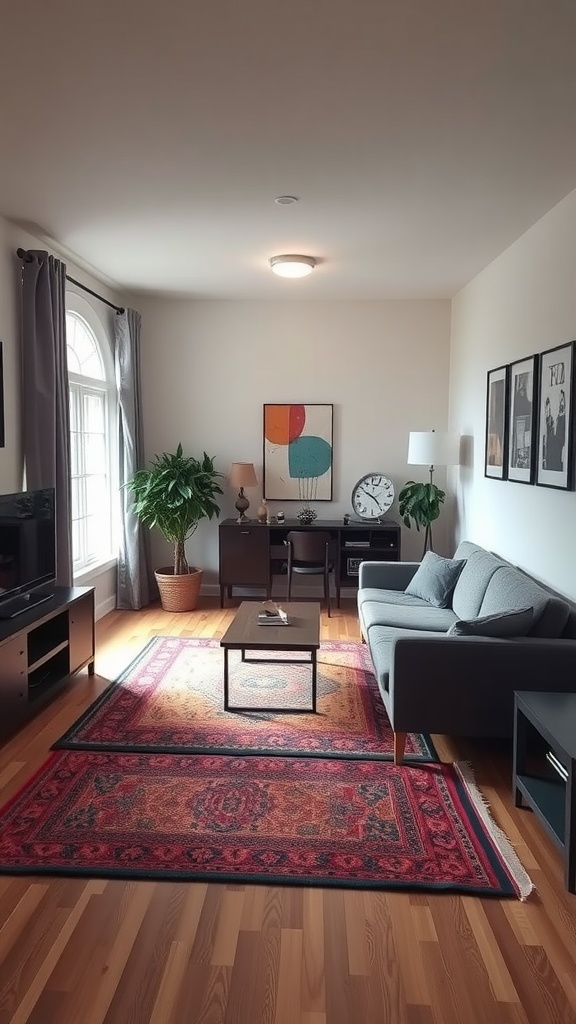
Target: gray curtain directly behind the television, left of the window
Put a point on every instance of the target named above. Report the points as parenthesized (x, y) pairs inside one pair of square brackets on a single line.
[(46, 410)]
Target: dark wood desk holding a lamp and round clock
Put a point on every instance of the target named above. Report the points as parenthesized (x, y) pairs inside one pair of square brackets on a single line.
[(253, 553)]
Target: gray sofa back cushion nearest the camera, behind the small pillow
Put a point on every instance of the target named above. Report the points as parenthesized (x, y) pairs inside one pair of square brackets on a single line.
[(510, 590)]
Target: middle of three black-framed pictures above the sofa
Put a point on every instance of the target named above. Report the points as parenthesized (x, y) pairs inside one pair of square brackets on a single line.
[(522, 419)]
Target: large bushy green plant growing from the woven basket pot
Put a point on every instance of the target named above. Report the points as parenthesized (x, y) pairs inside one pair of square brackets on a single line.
[(175, 494)]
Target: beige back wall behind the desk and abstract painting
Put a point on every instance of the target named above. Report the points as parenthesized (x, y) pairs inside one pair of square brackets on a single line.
[(210, 367)]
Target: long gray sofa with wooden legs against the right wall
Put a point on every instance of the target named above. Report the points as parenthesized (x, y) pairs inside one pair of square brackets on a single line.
[(463, 686)]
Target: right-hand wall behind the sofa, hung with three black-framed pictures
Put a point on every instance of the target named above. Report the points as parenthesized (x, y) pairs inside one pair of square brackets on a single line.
[(524, 303)]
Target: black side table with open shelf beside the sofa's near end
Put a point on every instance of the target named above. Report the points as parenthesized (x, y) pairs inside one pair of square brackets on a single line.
[(545, 767)]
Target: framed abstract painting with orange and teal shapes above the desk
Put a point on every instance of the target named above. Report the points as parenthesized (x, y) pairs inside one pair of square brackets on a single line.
[(298, 452)]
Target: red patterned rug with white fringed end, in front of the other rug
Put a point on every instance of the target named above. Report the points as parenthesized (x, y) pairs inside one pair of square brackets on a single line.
[(275, 821)]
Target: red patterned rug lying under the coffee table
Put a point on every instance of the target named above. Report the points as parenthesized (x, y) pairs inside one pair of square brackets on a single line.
[(171, 700)]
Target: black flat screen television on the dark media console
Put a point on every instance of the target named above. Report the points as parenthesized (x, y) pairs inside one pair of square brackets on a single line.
[(28, 550)]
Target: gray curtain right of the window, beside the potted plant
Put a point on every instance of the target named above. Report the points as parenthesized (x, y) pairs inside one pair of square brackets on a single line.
[(134, 587)]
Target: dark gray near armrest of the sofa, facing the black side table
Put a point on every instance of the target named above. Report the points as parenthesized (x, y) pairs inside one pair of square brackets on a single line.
[(465, 686)]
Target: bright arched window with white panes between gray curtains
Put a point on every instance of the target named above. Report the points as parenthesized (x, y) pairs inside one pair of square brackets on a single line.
[(93, 413)]
